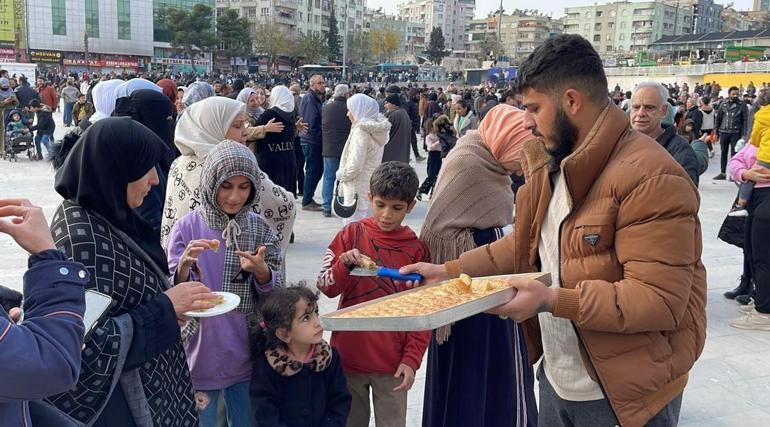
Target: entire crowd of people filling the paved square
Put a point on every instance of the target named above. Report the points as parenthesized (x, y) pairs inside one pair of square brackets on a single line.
[(173, 190)]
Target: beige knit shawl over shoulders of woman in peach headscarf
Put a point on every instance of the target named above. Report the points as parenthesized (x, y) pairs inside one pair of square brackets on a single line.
[(473, 192)]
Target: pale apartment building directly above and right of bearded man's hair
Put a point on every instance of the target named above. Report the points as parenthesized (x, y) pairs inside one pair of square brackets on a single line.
[(627, 27)]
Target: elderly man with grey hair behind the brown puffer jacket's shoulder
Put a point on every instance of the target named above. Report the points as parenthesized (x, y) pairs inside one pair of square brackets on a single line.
[(648, 108)]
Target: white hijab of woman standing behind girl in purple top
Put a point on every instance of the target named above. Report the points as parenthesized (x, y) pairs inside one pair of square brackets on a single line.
[(205, 123)]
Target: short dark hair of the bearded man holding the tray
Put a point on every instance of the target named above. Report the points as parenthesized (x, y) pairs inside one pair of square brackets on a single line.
[(564, 61)]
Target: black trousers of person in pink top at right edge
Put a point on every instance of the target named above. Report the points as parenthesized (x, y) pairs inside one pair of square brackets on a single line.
[(757, 246)]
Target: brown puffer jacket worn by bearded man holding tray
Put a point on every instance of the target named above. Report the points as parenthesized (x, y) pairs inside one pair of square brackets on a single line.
[(633, 282)]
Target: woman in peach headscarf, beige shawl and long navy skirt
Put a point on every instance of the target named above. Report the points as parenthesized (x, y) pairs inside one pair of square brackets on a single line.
[(473, 206)]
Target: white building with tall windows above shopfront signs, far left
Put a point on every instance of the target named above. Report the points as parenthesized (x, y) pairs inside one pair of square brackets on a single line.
[(117, 35)]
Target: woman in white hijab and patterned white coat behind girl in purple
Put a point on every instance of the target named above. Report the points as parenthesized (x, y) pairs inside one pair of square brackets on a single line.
[(203, 125)]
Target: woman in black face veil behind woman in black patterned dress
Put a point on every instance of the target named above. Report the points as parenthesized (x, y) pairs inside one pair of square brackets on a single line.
[(154, 110)]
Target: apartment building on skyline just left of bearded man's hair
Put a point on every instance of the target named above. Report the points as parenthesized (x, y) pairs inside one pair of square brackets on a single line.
[(520, 34)]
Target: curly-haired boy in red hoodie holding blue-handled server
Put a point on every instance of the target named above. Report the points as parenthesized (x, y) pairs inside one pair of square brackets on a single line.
[(383, 363)]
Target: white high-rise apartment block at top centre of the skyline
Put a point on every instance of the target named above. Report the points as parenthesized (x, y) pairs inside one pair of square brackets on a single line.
[(452, 16)]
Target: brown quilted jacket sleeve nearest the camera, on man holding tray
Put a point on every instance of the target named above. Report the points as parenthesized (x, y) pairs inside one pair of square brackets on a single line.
[(659, 246)]
